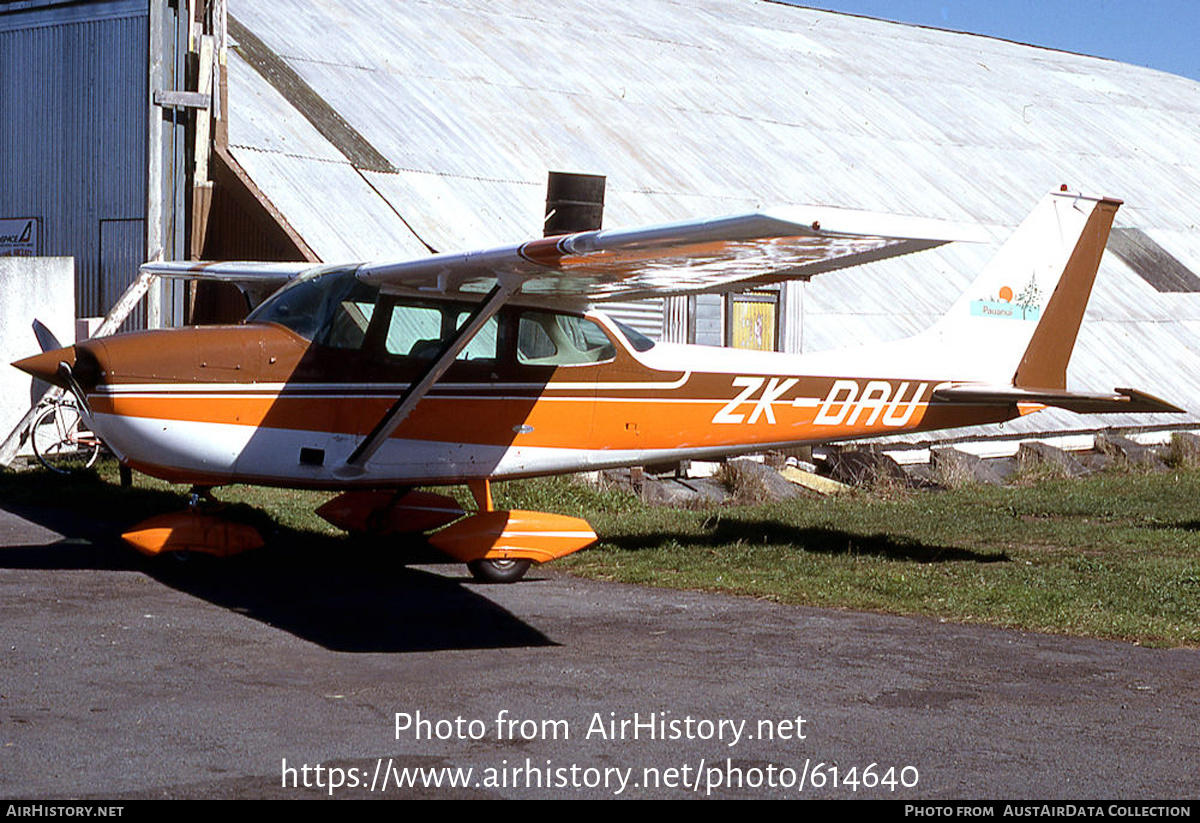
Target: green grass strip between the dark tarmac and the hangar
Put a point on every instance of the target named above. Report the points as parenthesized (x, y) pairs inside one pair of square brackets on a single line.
[(1113, 556)]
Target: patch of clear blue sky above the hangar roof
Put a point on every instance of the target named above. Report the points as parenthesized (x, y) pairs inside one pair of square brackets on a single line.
[(1161, 34)]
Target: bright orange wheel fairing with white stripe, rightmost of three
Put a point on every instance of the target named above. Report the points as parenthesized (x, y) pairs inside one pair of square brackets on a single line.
[(514, 536)]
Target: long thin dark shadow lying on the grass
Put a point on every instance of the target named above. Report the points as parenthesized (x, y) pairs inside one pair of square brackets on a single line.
[(818, 540)]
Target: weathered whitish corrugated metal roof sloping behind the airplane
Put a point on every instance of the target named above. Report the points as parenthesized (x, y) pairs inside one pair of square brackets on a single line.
[(716, 106)]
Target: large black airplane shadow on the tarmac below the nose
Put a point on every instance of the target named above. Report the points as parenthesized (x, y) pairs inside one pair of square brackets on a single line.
[(344, 594)]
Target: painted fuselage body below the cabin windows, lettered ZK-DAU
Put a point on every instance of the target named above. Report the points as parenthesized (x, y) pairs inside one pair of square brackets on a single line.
[(257, 404)]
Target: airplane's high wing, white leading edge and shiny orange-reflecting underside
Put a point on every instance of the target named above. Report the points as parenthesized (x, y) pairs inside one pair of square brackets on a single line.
[(739, 251)]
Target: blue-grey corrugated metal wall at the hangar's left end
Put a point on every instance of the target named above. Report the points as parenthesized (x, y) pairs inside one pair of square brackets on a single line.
[(73, 133)]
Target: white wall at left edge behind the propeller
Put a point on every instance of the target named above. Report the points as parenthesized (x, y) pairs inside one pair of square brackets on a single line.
[(31, 289)]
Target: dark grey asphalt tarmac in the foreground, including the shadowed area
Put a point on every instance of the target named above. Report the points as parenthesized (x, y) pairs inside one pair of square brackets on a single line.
[(301, 675)]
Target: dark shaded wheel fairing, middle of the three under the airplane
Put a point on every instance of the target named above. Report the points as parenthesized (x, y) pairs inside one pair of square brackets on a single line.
[(383, 513)]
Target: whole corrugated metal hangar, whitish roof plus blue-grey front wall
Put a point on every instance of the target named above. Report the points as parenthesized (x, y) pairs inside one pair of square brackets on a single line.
[(290, 130)]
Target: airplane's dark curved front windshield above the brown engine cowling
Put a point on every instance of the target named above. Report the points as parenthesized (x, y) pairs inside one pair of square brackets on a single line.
[(331, 308)]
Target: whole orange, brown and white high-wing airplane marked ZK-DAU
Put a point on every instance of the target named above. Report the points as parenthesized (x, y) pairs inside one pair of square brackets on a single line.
[(469, 368)]
